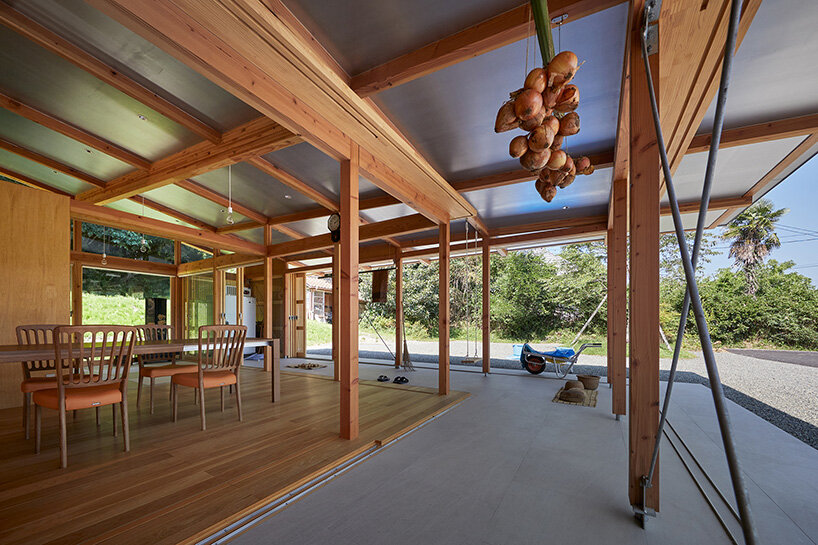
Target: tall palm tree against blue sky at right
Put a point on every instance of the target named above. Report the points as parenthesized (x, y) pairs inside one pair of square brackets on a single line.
[(753, 238)]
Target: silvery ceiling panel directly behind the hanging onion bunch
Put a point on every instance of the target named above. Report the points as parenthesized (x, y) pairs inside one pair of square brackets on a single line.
[(449, 114)]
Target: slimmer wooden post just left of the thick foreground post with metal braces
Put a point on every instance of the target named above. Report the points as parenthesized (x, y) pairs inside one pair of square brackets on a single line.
[(617, 296)]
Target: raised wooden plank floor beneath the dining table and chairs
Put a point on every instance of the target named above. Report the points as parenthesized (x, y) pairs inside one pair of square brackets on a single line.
[(179, 484)]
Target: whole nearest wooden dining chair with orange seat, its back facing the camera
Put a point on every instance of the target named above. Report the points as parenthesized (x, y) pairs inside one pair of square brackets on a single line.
[(93, 362)]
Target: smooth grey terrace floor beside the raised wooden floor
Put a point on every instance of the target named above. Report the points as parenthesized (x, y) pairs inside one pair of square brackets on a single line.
[(508, 466)]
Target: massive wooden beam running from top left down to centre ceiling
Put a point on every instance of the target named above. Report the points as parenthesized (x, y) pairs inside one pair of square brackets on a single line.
[(248, 49)]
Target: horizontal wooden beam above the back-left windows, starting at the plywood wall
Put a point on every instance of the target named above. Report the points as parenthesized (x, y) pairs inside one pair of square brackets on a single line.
[(123, 220)]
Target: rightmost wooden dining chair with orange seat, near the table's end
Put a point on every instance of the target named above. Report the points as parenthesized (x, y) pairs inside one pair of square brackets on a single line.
[(221, 353)]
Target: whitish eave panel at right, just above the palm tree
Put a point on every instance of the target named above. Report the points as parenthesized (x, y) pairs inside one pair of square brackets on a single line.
[(737, 169)]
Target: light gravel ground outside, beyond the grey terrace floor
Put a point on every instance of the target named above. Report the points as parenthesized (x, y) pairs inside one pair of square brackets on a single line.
[(784, 394)]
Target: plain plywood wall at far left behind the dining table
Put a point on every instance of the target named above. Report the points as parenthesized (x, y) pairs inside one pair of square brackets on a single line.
[(34, 269)]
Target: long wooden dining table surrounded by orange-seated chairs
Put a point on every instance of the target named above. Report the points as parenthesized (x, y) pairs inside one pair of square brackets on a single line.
[(14, 353)]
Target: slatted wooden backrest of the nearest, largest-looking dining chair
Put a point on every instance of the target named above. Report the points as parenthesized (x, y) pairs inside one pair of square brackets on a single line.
[(93, 355)]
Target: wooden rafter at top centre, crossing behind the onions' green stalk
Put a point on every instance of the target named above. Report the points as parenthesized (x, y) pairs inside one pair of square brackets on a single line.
[(506, 28)]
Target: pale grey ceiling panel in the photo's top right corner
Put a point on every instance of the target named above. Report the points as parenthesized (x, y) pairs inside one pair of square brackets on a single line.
[(775, 73)]
